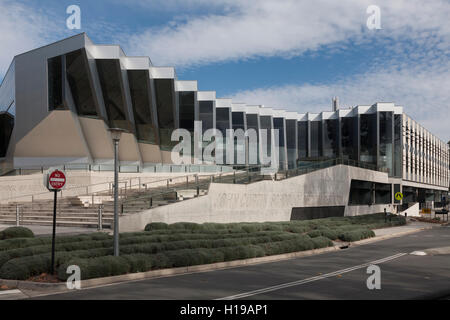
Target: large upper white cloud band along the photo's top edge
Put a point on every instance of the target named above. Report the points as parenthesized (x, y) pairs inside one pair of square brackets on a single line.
[(285, 28)]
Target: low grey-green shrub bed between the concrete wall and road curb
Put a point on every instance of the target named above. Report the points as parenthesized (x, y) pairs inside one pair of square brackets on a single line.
[(179, 245)]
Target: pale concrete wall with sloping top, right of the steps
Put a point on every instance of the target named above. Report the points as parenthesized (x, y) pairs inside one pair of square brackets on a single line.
[(262, 201)]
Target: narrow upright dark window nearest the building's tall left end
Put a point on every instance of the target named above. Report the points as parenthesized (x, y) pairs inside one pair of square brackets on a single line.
[(55, 82)]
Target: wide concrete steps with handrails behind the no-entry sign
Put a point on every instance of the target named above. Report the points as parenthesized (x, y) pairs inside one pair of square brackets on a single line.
[(84, 211)]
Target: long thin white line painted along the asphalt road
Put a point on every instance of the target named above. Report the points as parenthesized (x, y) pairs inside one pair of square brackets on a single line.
[(312, 279)]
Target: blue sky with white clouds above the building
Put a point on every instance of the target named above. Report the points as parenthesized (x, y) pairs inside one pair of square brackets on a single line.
[(286, 54)]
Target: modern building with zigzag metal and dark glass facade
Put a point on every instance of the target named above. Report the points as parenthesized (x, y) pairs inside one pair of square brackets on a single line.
[(58, 101)]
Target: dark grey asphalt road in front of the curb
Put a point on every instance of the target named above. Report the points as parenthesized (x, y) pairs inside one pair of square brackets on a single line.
[(336, 275)]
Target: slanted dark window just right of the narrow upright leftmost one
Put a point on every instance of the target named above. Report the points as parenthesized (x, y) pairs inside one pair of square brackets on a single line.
[(80, 86)]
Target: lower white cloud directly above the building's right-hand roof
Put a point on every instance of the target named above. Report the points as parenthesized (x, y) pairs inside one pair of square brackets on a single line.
[(422, 90)]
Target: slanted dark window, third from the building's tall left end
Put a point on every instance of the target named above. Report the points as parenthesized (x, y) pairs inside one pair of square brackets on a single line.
[(111, 83)]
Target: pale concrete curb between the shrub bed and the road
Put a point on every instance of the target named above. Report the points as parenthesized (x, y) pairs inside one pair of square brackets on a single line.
[(50, 288)]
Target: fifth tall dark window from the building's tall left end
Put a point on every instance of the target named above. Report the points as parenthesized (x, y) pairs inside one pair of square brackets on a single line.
[(164, 92)]
